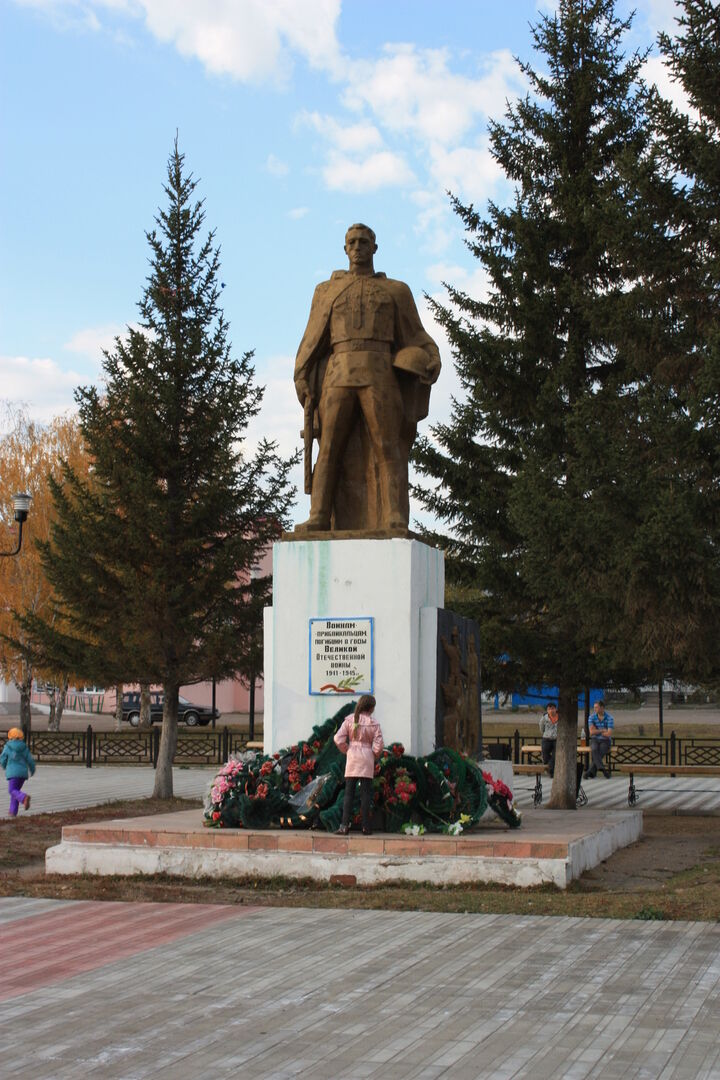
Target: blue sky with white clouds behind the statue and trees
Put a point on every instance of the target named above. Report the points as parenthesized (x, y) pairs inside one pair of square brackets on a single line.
[(298, 117)]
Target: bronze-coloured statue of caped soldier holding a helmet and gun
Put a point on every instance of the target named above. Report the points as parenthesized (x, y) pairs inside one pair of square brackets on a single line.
[(363, 375)]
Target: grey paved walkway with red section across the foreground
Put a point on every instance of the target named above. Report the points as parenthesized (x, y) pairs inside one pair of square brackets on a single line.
[(129, 992)]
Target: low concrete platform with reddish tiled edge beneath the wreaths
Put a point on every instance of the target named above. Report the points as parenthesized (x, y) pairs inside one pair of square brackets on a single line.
[(552, 847)]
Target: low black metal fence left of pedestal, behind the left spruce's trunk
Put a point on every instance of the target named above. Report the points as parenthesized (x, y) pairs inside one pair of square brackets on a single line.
[(91, 748)]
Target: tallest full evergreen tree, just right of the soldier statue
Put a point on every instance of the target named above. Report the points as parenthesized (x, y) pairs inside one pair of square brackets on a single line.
[(540, 472)]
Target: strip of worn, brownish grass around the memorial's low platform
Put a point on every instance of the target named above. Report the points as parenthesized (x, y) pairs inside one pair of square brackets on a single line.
[(673, 873)]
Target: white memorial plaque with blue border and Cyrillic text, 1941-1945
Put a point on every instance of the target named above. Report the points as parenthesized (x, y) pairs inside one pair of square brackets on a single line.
[(342, 656)]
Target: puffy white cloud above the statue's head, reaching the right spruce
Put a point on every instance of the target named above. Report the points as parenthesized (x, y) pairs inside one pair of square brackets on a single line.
[(412, 106)]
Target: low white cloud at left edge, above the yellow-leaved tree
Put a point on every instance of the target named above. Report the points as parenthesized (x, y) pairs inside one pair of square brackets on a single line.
[(39, 384)]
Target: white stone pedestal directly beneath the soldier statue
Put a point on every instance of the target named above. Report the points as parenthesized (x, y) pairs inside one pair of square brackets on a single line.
[(392, 582)]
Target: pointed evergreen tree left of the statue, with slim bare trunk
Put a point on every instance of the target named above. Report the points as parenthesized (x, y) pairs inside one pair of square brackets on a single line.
[(157, 549)]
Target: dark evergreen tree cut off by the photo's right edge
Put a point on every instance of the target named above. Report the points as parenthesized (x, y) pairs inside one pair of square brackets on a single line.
[(688, 150)]
